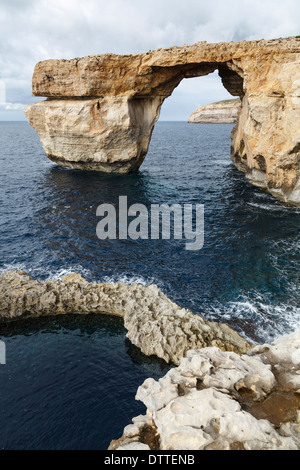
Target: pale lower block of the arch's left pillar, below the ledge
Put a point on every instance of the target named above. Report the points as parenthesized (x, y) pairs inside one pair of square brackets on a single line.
[(109, 134)]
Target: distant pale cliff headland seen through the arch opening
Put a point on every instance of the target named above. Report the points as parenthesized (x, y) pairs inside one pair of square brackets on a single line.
[(221, 112)]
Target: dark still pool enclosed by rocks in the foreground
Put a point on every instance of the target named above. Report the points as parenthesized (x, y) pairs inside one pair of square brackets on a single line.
[(70, 383)]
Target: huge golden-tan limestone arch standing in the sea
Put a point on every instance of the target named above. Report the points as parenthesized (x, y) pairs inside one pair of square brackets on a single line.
[(101, 110)]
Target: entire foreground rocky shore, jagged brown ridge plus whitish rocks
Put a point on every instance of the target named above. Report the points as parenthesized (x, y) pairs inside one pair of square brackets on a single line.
[(224, 394)]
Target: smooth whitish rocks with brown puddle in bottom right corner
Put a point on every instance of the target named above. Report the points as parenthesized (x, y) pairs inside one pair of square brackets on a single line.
[(219, 400)]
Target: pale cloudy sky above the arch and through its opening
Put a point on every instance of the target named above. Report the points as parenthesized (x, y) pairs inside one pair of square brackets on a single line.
[(35, 30)]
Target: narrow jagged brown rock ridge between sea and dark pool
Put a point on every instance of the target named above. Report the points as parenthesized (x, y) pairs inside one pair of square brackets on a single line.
[(155, 324)]
